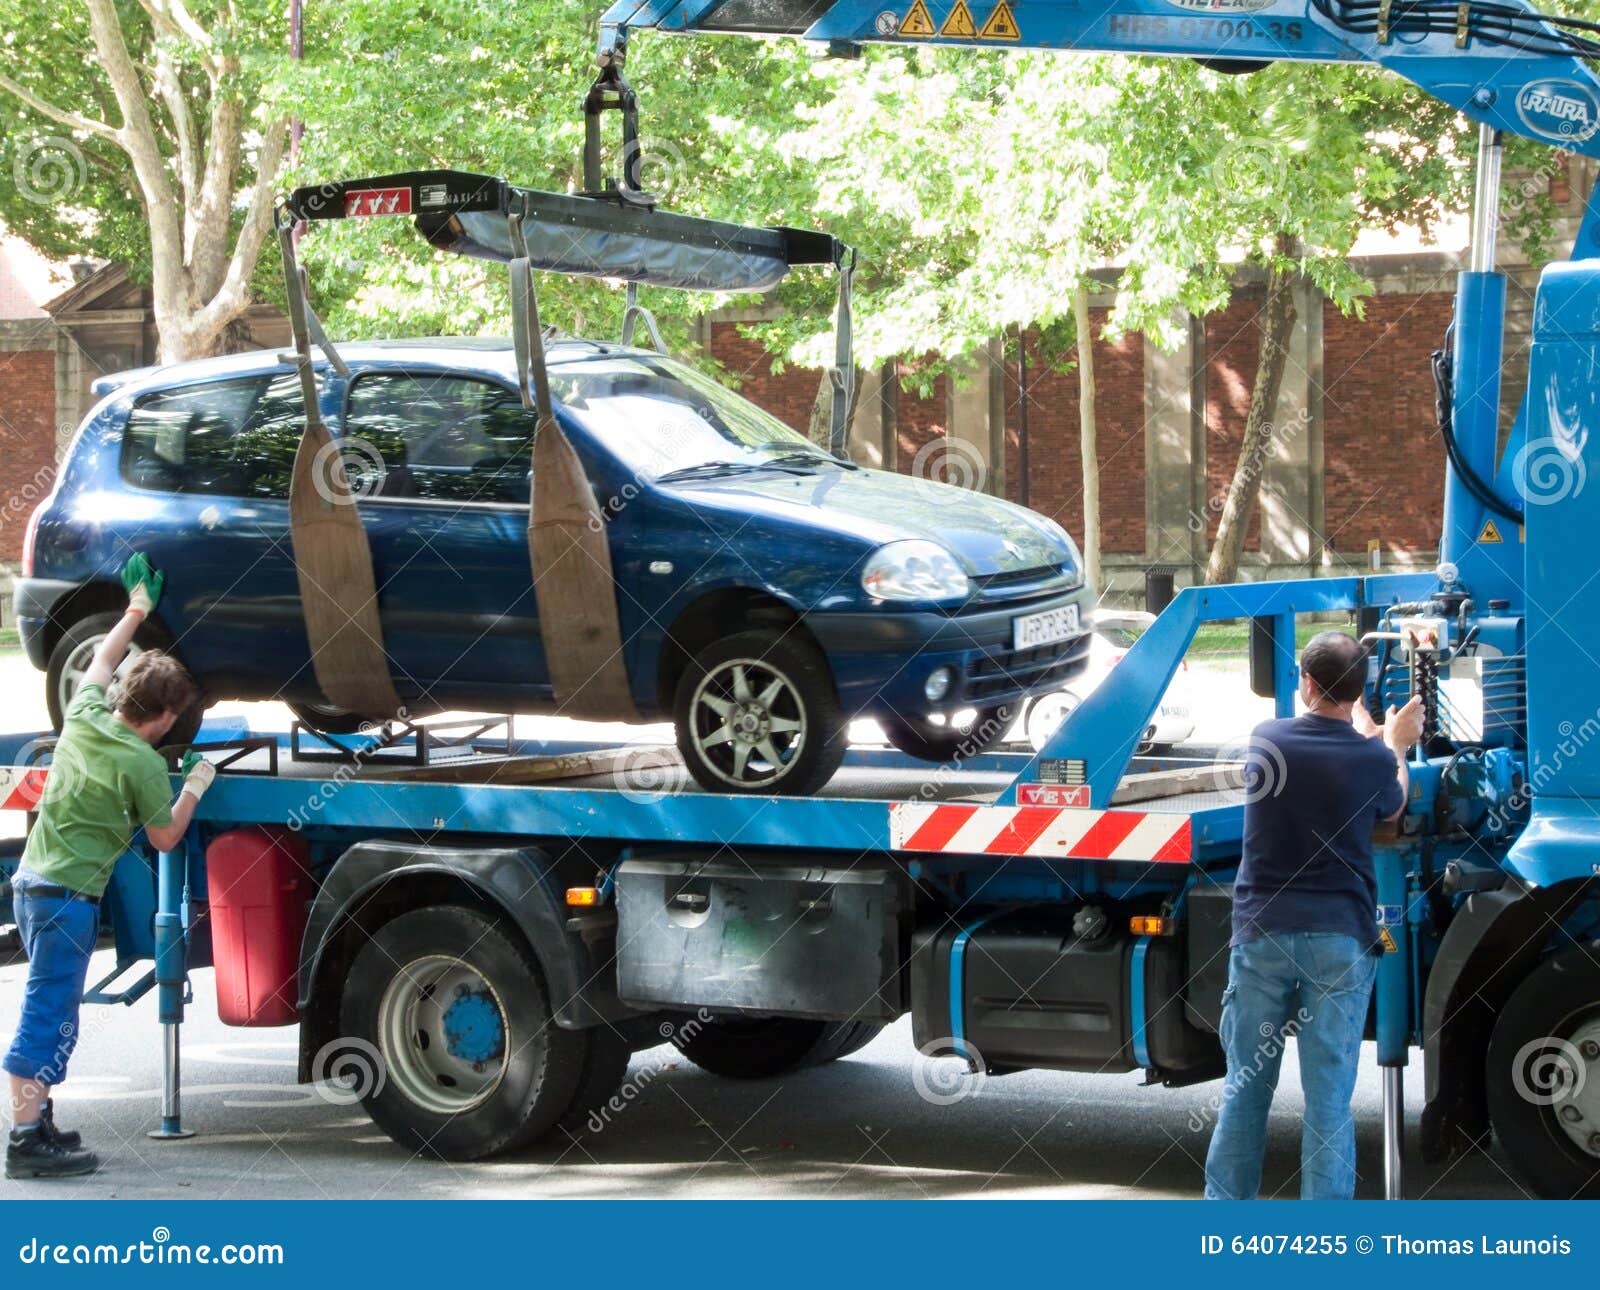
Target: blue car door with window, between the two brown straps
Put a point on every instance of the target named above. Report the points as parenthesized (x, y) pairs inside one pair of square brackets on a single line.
[(441, 467)]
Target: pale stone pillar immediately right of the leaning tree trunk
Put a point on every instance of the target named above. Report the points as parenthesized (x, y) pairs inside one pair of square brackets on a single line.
[(1292, 495)]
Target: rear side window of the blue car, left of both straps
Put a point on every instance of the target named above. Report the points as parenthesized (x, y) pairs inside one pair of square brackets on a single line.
[(226, 438)]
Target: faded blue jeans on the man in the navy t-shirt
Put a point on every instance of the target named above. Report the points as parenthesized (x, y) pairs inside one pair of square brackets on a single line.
[(1316, 987)]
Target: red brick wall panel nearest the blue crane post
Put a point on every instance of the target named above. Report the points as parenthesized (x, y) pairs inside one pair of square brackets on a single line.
[(1385, 463)]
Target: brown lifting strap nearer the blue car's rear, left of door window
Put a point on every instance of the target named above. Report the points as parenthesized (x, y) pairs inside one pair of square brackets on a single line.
[(334, 559)]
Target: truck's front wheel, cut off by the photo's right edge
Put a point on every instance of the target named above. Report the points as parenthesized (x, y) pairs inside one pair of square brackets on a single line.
[(1543, 1076)]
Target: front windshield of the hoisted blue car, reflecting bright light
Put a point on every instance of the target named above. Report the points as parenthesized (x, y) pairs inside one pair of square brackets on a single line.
[(662, 417)]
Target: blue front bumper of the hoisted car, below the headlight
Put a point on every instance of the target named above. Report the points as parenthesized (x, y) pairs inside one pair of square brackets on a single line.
[(882, 660)]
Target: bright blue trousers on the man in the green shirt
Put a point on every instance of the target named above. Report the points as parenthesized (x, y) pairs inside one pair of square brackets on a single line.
[(60, 937)]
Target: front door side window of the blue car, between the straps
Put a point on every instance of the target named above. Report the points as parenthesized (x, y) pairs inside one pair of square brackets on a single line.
[(415, 436)]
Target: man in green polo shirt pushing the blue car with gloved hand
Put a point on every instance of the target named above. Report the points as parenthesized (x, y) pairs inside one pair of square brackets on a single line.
[(106, 780)]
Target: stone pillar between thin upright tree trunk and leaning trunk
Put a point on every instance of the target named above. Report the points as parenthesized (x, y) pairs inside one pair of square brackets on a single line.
[(1175, 451)]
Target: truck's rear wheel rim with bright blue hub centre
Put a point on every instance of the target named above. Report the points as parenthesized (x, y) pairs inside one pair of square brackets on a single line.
[(444, 1035)]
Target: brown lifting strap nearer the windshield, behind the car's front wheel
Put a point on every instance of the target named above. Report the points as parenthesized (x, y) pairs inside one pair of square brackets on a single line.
[(567, 537)]
